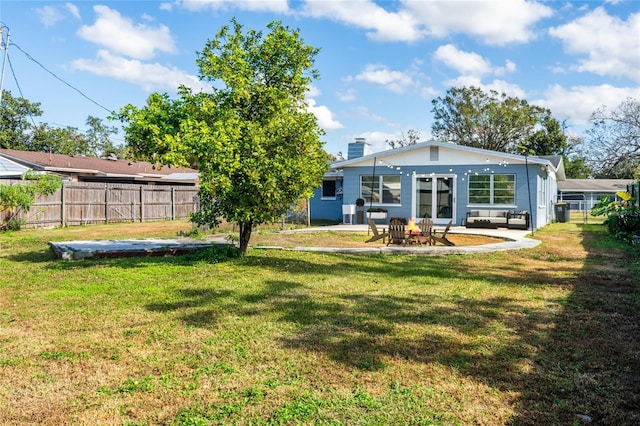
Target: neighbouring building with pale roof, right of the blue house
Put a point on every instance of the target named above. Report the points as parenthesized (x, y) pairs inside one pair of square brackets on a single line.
[(583, 194)]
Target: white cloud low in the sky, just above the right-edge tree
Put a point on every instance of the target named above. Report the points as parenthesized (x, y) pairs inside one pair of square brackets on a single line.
[(576, 104)]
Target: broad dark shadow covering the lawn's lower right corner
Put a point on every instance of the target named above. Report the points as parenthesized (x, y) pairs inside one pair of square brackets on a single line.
[(589, 365)]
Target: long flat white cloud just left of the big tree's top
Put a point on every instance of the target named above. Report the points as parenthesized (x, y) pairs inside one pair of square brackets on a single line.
[(150, 76)]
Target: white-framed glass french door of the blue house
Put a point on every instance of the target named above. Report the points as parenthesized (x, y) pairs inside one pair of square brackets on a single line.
[(434, 198)]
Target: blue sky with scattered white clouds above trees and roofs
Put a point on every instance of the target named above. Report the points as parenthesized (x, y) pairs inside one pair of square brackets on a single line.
[(381, 62)]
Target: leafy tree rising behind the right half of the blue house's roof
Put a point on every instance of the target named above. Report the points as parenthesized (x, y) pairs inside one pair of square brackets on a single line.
[(469, 116)]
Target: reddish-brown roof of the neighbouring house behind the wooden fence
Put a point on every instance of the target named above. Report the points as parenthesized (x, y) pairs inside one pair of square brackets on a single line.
[(99, 167)]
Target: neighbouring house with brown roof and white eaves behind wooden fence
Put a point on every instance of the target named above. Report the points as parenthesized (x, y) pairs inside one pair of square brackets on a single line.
[(77, 168)]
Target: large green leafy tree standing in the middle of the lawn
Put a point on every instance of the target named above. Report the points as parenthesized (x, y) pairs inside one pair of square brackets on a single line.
[(255, 144)]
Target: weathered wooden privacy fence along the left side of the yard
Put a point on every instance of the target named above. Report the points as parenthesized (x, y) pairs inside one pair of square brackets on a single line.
[(83, 203)]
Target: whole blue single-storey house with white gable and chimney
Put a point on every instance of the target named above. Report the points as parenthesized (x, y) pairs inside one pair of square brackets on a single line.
[(441, 181)]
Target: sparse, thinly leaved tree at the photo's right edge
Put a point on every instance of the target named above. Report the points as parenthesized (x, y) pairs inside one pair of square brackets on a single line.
[(614, 141)]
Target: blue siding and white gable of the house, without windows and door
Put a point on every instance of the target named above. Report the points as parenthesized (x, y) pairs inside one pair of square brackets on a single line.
[(535, 178)]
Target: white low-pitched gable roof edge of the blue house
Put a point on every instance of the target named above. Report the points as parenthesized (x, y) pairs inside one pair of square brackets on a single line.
[(555, 162)]
